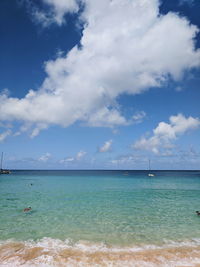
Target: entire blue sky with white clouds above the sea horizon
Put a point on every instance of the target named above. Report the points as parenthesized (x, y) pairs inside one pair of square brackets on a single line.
[(110, 84)]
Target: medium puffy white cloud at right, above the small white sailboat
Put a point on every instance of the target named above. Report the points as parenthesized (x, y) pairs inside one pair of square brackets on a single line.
[(165, 133)]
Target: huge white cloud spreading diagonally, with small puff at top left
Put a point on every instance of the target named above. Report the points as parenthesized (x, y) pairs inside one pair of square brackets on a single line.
[(126, 47)]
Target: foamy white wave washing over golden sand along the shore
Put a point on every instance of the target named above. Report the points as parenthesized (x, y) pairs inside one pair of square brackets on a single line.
[(49, 252)]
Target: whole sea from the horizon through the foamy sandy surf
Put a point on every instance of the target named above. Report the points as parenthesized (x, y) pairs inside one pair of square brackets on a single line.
[(100, 218)]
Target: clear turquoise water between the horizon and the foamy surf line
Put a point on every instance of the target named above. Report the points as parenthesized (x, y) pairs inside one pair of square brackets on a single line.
[(100, 206)]
